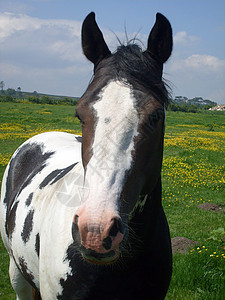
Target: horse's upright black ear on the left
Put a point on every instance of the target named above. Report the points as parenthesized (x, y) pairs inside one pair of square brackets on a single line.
[(93, 43)]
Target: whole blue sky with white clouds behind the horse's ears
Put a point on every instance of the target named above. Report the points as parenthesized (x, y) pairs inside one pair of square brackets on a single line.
[(40, 43)]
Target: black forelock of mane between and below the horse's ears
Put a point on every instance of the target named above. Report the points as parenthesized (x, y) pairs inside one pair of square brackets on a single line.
[(131, 65)]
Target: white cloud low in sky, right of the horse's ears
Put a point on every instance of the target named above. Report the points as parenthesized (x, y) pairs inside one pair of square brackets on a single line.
[(198, 75)]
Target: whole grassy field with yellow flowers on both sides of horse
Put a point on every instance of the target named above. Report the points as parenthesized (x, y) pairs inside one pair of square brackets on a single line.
[(193, 174)]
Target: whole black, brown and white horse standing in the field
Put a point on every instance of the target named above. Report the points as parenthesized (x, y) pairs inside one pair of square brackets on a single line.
[(81, 217)]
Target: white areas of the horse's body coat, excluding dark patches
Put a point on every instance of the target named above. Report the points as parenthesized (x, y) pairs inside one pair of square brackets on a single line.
[(54, 208)]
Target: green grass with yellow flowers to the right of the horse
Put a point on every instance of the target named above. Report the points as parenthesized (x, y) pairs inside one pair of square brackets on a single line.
[(193, 174)]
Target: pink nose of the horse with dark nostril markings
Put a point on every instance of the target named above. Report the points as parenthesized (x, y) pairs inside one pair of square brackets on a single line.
[(100, 235)]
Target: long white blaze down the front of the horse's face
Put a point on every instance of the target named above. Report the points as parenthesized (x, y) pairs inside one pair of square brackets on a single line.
[(116, 127)]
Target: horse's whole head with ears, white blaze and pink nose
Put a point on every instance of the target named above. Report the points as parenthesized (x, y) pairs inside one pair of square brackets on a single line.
[(122, 117)]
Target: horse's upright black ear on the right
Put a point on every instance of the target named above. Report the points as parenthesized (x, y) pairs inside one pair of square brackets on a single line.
[(160, 40)]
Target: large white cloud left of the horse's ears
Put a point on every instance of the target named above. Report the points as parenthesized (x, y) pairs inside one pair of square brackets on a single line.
[(38, 53)]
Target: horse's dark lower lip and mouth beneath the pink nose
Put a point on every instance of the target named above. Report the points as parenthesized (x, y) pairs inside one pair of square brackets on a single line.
[(95, 258)]
